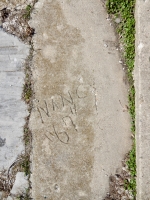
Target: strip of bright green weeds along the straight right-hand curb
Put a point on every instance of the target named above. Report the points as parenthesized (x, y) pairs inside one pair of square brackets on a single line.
[(124, 9)]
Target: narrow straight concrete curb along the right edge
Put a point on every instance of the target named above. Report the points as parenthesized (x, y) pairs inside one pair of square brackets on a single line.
[(142, 79)]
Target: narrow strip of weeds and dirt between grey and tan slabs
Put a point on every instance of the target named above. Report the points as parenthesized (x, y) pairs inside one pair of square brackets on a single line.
[(27, 138)]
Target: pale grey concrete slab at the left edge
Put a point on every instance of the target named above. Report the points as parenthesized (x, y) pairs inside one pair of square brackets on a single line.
[(12, 108)]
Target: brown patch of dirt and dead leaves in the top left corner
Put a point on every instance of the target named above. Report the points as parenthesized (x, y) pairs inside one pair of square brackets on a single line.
[(14, 19)]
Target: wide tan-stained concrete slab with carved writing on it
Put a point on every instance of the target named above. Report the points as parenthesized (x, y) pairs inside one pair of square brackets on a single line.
[(80, 130)]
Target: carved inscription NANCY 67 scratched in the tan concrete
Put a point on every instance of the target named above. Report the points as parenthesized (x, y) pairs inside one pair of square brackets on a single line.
[(59, 113)]
